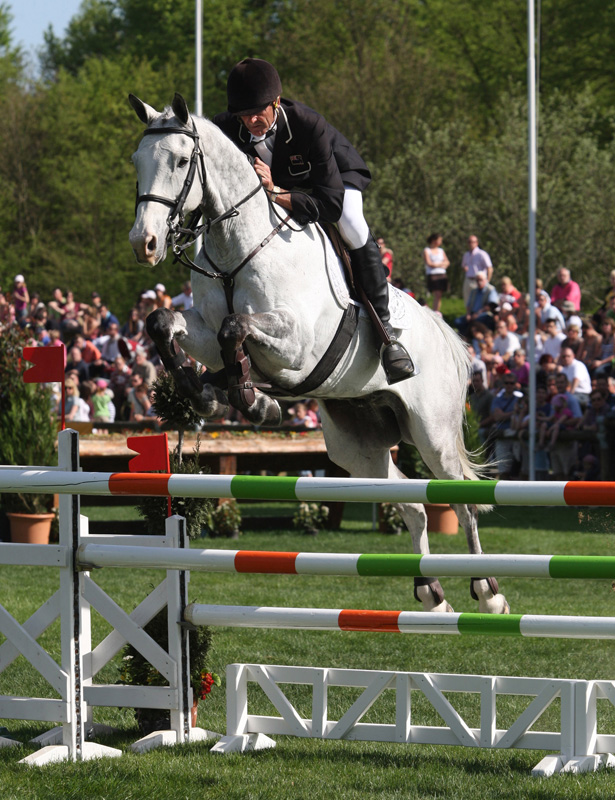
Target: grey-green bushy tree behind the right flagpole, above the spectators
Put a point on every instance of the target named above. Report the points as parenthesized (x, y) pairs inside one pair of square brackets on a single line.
[(447, 180)]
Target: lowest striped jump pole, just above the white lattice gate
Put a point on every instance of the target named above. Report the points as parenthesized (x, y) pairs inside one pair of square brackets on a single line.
[(327, 619)]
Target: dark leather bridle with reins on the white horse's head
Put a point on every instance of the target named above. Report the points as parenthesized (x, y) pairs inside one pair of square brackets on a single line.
[(183, 233)]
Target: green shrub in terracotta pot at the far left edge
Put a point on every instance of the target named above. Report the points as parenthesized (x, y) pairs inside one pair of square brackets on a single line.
[(28, 437)]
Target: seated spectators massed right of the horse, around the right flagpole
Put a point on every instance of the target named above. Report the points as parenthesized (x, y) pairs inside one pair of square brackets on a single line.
[(574, 366)]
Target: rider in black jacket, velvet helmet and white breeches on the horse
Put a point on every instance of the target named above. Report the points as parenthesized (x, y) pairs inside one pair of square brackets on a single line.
[(321, 177)]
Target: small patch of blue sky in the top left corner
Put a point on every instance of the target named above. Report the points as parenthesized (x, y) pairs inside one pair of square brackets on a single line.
[(32, 17)]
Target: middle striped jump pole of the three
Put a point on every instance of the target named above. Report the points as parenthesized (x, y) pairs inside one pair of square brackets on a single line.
[(350, 564)]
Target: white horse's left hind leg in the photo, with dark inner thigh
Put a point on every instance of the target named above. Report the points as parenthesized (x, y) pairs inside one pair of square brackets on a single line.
[(358, 437)]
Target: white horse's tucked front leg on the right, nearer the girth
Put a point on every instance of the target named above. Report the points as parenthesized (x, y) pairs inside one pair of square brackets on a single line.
[(274, 331)]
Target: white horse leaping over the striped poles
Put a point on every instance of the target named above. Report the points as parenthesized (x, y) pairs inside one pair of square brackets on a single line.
[(286, 307)]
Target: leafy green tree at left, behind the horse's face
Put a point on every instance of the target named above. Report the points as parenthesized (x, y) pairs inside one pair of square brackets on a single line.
[(66, 154)]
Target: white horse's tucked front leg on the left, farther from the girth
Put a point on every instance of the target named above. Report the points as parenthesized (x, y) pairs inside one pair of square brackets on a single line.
[(164, 327)]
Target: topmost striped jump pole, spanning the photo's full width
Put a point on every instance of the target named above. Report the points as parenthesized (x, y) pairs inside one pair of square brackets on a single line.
[(359, 490)]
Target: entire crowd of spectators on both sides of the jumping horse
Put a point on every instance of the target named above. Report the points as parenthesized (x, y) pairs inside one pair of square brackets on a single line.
[(111, 365)]
